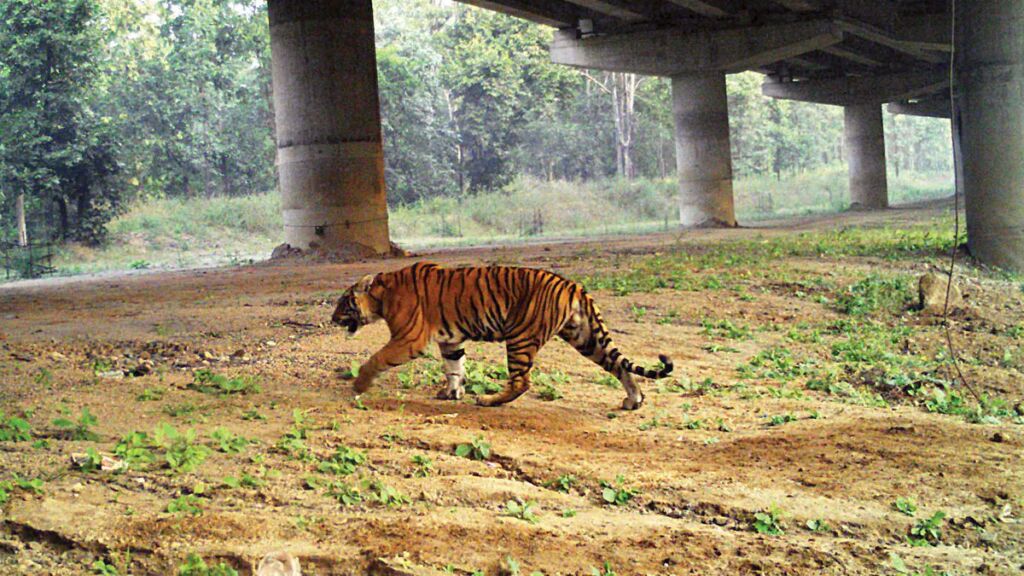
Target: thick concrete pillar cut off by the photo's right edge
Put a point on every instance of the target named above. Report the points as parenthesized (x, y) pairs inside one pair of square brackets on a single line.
[(991, 66)]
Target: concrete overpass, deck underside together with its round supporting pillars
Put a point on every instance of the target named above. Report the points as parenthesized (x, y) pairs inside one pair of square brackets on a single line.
[(861, 55)]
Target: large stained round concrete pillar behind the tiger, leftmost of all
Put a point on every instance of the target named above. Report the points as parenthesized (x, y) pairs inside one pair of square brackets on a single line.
[(330, 156)]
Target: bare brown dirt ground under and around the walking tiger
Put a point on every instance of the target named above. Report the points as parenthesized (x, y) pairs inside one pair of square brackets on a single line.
[(707, 452)]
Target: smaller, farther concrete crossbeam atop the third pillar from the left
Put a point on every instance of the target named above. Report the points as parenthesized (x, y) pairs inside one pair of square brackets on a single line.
[(854, 91)]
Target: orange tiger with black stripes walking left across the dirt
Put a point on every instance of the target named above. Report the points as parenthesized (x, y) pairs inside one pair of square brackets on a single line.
[(522, 307)]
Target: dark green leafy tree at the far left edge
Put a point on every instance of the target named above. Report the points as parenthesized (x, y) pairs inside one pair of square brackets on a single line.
[(54, 148)]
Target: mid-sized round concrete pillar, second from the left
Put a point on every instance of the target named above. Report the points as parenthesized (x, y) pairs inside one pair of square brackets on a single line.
[(703, 156)]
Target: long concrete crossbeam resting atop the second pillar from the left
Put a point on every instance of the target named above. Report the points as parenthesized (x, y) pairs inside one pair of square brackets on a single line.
[(672, 52)]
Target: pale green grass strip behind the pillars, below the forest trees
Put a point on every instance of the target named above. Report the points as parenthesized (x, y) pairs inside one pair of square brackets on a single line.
[(178, 233)]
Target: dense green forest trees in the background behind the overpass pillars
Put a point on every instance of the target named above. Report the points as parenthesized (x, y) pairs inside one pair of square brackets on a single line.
[(104, 103)]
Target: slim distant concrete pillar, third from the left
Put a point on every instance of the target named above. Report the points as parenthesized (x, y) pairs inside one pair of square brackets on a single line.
[(866, 156)]
